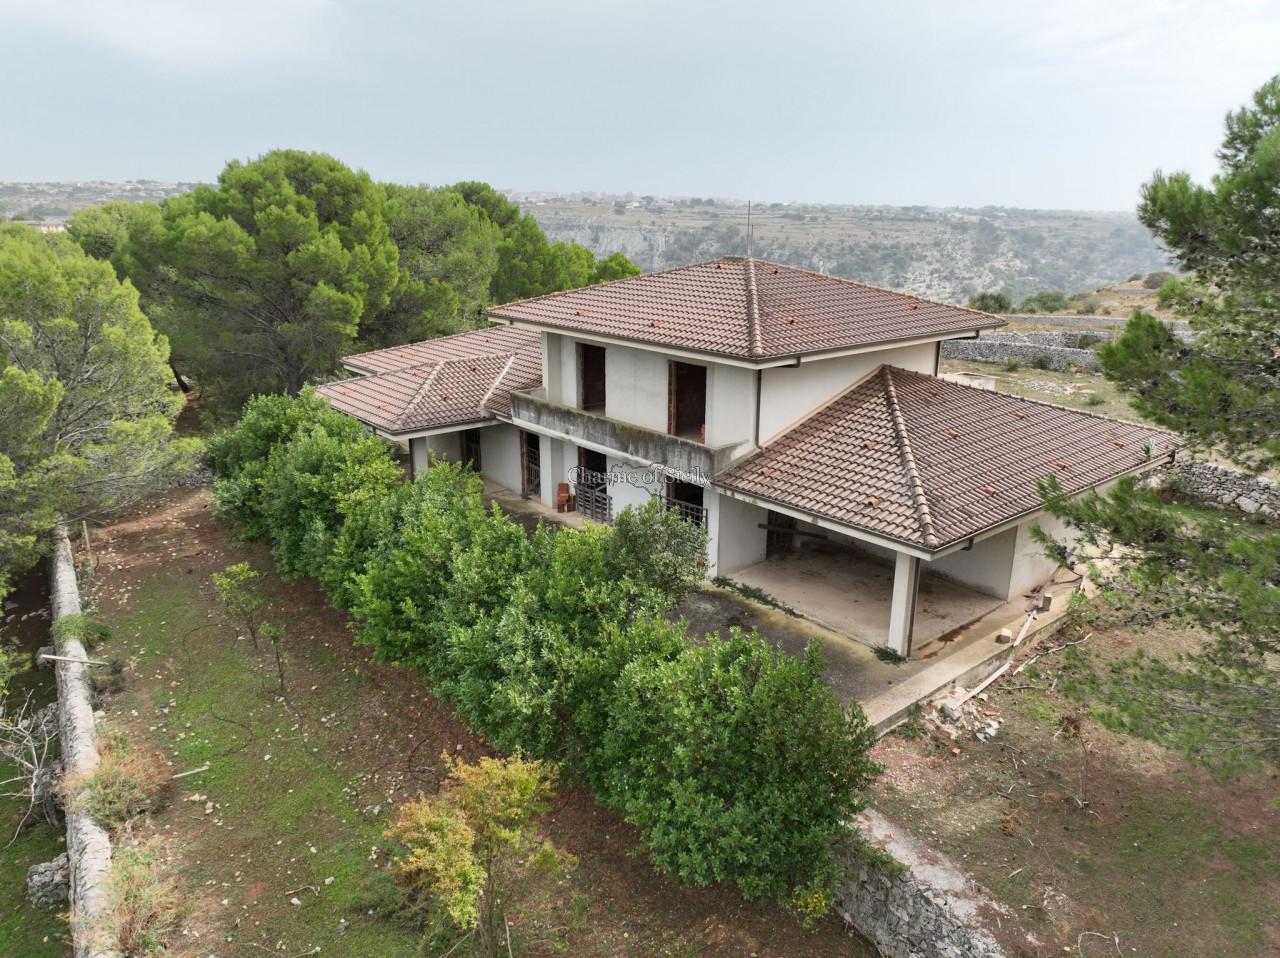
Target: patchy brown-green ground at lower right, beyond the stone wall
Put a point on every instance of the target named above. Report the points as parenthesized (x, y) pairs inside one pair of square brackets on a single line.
[(1095, 832)]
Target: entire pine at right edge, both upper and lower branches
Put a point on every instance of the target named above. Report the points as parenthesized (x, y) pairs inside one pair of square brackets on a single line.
[(1200, 568)]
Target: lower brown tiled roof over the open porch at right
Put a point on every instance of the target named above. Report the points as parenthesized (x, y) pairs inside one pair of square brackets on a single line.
[(931, 463)]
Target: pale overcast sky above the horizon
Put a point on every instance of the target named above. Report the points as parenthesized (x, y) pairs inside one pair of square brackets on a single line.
[(1068, 104)]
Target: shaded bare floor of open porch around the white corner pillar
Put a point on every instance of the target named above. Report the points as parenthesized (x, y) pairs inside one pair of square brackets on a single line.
[(851, 592)]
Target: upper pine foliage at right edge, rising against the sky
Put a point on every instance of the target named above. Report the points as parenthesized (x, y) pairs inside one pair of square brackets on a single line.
[(1223, 387)]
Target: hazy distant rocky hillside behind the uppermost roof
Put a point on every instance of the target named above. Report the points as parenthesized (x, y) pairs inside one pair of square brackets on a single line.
[(941, 253)]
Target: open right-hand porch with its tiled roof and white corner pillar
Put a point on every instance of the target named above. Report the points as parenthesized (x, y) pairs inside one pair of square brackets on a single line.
[(903, 510)]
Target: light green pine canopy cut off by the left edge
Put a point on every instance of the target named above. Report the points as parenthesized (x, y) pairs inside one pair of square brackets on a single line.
[(86, 416)]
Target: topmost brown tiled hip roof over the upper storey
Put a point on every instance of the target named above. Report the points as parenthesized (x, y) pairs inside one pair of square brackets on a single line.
[(747, 309)]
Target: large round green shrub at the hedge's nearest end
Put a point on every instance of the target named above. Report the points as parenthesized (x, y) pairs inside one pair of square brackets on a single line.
[(738, 764)]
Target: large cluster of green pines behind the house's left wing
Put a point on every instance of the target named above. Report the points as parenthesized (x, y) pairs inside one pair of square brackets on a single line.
[(264, 281)]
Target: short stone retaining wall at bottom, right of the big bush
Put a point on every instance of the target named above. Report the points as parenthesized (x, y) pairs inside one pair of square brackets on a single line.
[(924, 907)]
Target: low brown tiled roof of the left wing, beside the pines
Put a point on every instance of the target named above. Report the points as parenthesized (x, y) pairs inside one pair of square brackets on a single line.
[(452, 381)]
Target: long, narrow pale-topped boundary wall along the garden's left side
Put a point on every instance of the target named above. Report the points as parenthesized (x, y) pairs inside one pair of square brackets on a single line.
[(88, 843)]
